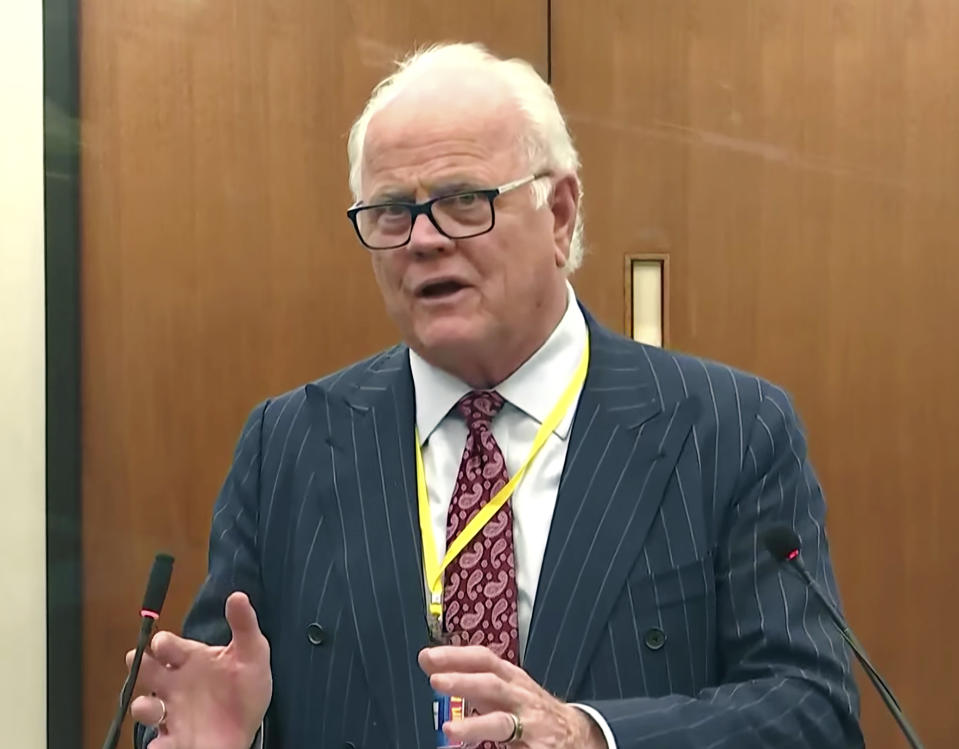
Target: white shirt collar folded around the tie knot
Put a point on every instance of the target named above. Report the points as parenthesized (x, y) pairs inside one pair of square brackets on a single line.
[(534, 388)]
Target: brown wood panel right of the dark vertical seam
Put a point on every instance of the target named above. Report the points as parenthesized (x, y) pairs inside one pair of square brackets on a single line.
[(798, 162)]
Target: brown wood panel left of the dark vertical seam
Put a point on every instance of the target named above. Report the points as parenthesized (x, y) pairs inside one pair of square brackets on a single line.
[(218, 266)]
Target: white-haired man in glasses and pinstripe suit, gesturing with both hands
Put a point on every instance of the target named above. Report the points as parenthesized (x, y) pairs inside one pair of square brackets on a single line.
[(572, 515)]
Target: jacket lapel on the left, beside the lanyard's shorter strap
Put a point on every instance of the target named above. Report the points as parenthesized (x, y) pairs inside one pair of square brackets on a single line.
[(370, 443)]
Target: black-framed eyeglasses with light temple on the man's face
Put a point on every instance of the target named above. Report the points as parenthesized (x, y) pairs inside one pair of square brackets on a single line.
[(387, 226)]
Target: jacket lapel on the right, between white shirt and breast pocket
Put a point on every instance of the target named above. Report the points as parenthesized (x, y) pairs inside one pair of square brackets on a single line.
[(623, 447)]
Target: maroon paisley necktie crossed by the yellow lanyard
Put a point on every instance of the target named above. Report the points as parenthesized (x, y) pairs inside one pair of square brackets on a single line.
[(479, 599)]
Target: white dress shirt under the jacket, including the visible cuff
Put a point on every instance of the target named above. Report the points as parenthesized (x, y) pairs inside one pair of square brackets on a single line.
[(531, 393)]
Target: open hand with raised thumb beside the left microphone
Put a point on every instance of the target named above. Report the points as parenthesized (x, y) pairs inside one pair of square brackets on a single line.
[(215, 696)]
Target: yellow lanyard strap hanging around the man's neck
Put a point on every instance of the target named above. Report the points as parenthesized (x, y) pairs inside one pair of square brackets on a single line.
[(434, 568)]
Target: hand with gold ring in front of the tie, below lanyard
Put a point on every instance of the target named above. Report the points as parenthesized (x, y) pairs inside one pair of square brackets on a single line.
[(498, 690)]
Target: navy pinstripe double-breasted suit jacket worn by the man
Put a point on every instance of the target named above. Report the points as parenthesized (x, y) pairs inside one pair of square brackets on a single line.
[(656, 604)]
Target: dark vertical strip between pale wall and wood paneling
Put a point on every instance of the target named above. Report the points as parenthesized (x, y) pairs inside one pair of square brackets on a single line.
[(61, 223)]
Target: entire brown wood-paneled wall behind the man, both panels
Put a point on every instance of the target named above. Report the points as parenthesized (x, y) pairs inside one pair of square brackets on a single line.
[(797, 160)]
